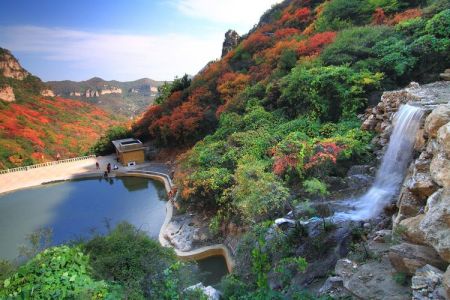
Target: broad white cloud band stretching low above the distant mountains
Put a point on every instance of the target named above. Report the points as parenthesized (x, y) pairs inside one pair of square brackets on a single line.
[(115, 56)]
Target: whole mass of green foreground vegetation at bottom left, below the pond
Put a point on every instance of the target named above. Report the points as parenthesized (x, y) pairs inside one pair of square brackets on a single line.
[(125, 264)]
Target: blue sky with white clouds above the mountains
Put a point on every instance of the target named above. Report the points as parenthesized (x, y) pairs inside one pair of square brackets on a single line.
[(122, 39)]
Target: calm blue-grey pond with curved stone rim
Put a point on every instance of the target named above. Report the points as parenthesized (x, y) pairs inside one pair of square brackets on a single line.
[(77, 209)]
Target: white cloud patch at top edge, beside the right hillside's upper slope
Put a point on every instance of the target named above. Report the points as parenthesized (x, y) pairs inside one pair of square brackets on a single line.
[(239, 14)]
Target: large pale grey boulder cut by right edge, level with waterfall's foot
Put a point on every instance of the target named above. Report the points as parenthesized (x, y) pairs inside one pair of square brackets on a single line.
[(436, 223)]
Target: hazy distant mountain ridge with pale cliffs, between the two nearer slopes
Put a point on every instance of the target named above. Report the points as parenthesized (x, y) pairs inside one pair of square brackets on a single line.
[(128, 98)]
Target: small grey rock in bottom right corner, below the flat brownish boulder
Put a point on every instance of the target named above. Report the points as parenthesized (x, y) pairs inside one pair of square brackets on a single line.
[(427, 284)]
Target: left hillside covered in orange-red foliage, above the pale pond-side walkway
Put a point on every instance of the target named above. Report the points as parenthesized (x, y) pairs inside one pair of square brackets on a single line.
[(35, 127)]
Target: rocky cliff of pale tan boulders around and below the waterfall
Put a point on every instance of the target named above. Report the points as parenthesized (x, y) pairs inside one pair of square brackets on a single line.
[(417, 245)]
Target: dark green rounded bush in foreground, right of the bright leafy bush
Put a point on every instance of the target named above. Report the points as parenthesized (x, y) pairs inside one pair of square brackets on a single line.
[(129, 257)]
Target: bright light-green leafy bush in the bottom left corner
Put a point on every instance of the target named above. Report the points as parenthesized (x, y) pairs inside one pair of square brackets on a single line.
[(56, 273)]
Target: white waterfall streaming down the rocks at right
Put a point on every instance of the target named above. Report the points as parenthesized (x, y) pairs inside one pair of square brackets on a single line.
[(392, 170)]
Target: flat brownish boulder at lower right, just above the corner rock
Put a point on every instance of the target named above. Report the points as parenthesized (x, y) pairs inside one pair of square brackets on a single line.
[(407, 258)]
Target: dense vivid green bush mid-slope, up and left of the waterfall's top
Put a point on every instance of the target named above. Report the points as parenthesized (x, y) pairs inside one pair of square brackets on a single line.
[(327, 93)]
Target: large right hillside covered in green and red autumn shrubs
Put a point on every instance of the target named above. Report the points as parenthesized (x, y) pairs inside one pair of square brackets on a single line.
[(275, 127)]
